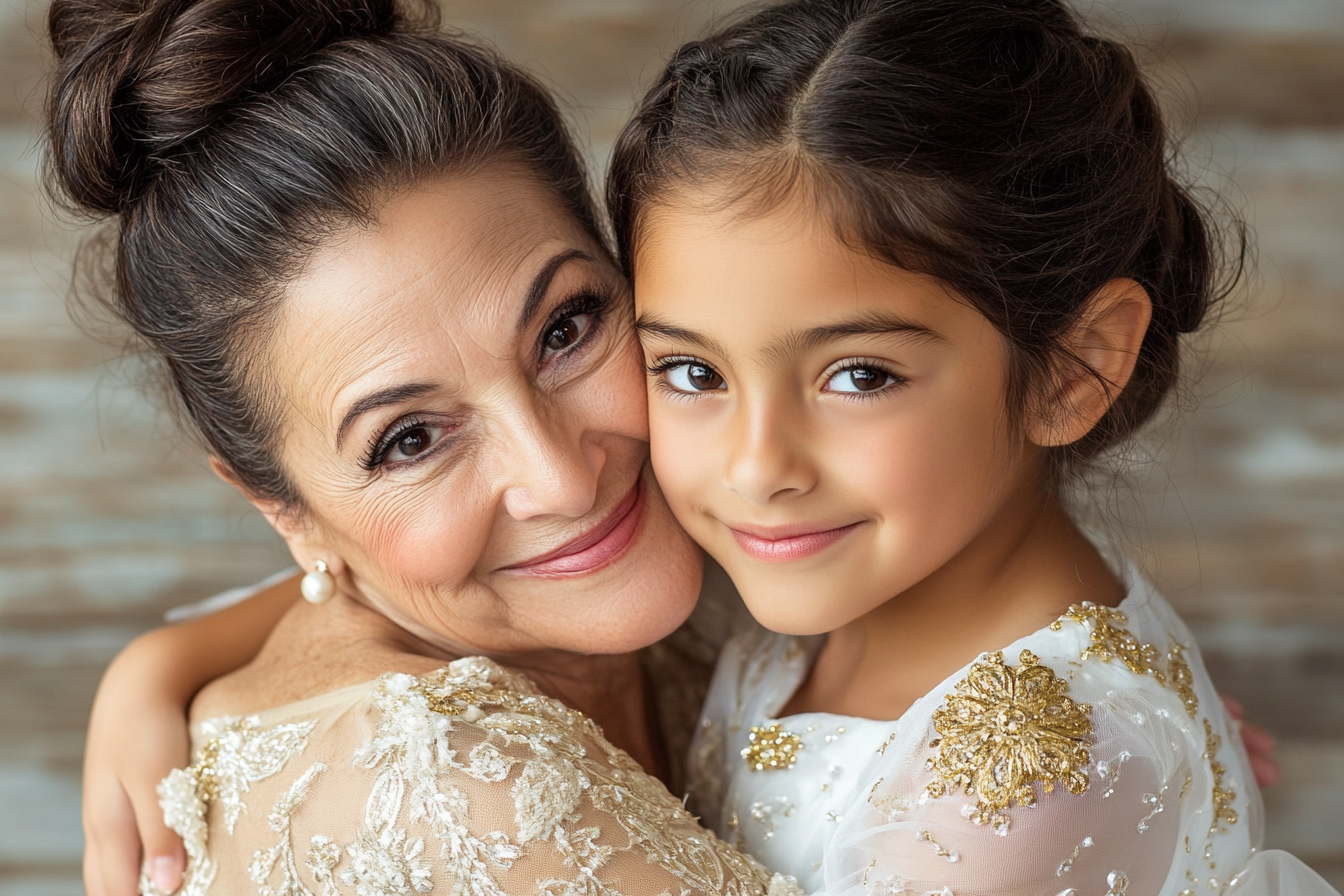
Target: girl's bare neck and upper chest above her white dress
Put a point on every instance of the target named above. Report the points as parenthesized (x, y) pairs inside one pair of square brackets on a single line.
[(1021, 574)]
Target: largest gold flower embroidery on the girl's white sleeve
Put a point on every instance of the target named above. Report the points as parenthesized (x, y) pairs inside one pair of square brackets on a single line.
[(1007, 730)]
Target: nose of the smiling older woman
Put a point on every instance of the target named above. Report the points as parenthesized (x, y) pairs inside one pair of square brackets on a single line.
[(549, 469)]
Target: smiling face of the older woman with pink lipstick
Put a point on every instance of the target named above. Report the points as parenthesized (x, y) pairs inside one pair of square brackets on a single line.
[(466, 417)]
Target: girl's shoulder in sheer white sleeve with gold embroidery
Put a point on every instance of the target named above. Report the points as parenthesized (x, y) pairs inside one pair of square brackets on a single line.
[(1092, 754)]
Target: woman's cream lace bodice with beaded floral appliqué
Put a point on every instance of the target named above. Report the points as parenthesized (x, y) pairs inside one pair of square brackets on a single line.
[(467, 782)]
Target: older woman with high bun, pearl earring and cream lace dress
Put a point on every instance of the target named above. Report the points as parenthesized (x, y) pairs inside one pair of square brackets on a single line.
[(366, 257)]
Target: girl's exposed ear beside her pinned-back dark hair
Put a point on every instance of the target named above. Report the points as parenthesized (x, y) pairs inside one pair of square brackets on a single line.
[(1104, 349)]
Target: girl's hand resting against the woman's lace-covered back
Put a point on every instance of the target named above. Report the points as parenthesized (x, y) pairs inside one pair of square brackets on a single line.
[(138, 734)]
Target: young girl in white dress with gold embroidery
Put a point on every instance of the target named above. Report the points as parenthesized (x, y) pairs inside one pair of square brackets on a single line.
[(902, 267)]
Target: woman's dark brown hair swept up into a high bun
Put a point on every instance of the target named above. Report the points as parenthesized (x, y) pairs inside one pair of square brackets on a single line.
[(230, 138)]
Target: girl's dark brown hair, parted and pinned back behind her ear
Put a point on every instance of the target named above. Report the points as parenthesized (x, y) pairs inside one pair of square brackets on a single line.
[(994, 144)]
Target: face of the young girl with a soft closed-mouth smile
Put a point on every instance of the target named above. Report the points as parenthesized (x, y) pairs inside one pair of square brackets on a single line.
[(831, 429)]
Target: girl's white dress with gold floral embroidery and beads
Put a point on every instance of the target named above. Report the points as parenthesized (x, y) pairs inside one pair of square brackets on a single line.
[(1092, 758)]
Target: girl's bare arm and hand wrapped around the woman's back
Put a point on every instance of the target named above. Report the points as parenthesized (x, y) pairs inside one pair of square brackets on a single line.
[(138, 734)]
